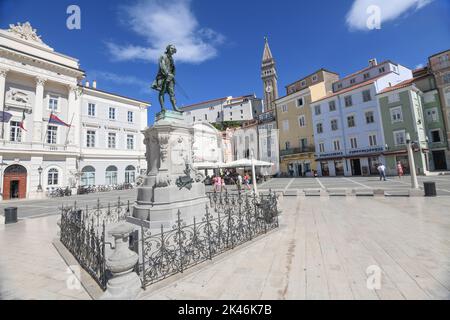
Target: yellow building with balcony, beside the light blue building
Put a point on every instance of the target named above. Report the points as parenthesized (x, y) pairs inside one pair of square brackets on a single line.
[(295, 125)]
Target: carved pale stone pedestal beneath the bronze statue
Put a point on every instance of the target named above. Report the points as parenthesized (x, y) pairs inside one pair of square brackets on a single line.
[(172, 183)]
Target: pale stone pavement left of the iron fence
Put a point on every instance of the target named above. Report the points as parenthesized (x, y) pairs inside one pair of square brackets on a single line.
[(30, 267)]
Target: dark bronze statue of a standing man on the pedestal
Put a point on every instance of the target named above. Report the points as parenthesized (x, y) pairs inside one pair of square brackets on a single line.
[(165, 79)]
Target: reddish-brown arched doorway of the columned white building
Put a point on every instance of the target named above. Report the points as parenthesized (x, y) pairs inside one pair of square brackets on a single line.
[(15, 182)]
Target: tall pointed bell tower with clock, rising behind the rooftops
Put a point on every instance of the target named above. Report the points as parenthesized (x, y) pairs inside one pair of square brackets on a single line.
[(269, 78)]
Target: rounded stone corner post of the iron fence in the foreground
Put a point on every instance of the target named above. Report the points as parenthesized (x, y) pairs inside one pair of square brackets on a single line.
[(125, 284)]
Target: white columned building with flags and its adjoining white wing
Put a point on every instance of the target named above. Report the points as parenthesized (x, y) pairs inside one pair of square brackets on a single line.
[(102, 146)]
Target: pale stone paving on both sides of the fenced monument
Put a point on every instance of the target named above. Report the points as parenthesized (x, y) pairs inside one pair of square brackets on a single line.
[(321, 251)]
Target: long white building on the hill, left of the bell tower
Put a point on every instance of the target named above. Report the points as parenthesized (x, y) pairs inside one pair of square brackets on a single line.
[(240, 109)]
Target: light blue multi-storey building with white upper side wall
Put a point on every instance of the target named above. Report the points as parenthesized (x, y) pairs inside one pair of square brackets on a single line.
[(349, 137)]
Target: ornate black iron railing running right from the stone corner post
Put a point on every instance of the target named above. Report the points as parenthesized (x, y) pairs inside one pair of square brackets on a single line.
[(229, 221)]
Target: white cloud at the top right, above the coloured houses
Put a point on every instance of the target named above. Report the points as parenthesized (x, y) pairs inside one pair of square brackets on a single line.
[(389, 10)]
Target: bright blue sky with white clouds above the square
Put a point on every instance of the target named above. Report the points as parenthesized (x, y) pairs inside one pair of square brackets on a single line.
[(220, 43)]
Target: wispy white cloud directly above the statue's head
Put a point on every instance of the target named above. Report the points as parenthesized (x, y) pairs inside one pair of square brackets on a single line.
[(165, 22)]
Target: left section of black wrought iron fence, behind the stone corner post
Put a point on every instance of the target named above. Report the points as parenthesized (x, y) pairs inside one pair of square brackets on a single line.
[(83, 234)]
